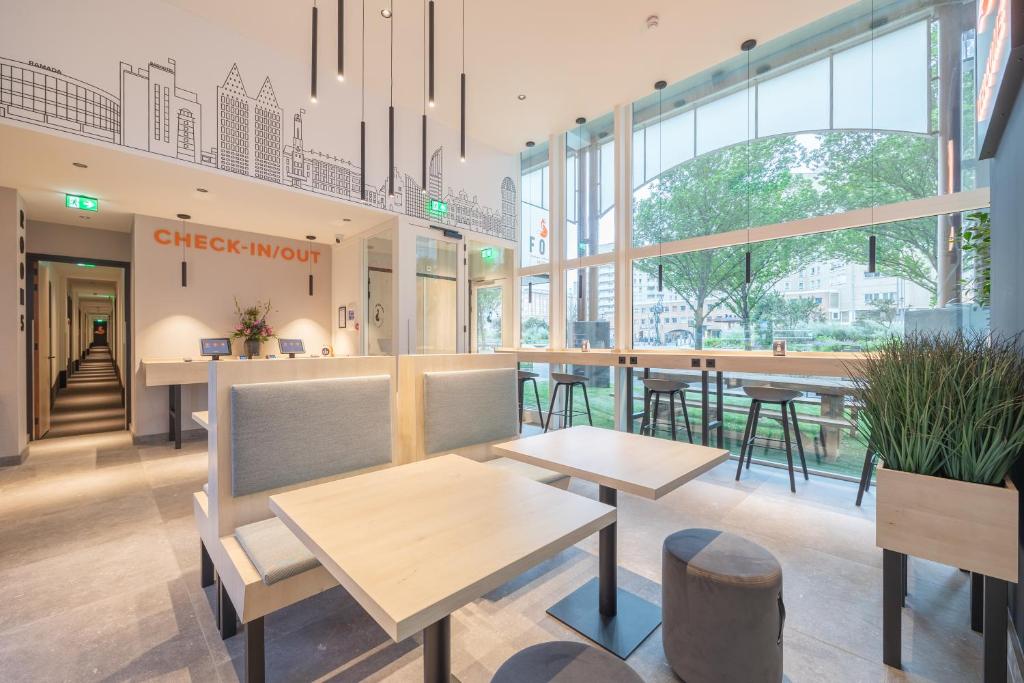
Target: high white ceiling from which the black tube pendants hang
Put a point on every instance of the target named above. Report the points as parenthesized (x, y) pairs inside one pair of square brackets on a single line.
[(570, 58)]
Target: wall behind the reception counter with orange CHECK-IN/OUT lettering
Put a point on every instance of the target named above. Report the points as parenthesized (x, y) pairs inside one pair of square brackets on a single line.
[(169, 320)]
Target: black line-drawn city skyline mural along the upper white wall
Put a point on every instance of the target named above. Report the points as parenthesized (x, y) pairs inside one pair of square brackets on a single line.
[(153, 114)]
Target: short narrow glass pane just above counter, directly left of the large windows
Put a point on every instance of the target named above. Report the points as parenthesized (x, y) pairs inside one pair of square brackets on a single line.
[(590, 307)]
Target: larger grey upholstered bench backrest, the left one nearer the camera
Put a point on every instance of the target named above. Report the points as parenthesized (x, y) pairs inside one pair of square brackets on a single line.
[(290, 433)]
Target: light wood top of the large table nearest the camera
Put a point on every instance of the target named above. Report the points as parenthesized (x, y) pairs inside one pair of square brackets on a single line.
[(413, 544)]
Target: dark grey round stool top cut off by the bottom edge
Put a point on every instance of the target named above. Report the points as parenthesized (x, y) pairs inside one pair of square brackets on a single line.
[(565, 662)]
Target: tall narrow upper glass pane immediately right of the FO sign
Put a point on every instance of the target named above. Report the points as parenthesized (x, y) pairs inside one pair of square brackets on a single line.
[(590, 189)]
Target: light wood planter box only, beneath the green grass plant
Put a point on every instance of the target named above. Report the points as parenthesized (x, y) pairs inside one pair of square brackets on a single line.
[(967, 526)]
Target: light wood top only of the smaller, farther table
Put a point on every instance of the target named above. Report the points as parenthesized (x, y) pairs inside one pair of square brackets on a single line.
[(641, 465)]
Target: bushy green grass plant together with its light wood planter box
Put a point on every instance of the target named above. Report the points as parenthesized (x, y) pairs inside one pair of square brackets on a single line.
[(946, 414)]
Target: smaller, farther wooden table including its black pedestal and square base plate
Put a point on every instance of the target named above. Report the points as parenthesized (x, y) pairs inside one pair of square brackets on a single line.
[(616, 461)]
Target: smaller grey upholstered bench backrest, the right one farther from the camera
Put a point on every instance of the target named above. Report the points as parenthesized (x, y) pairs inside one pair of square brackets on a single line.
[(467, 408)]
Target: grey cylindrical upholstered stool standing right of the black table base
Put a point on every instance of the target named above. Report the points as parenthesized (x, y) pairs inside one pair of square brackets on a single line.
[(722, 609)]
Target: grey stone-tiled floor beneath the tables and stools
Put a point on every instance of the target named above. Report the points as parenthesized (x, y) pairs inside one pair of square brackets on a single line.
[(100, 570)]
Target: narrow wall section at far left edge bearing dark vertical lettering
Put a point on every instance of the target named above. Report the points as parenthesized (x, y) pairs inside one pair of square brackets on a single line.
[(14, 432)]
